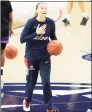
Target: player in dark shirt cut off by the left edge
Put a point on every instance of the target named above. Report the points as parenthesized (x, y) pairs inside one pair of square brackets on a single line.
[(6, 30)]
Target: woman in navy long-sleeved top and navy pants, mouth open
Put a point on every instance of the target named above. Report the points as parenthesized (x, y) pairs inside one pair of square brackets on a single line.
[(37, 33)]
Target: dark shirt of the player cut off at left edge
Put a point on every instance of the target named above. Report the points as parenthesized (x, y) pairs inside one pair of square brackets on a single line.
[(6, 9)]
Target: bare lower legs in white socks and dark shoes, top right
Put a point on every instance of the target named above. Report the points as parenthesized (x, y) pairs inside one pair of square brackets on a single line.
[(85, 18)]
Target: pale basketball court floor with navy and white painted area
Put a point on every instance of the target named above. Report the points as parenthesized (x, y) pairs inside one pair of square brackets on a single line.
[(71, 71)]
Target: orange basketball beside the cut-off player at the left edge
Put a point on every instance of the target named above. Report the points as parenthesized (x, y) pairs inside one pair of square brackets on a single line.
[(11, 52)]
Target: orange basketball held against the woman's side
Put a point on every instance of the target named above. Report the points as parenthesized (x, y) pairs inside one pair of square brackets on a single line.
[(54, 47)]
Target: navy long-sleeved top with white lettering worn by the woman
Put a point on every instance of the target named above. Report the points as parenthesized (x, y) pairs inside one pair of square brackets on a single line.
[(36, 48)]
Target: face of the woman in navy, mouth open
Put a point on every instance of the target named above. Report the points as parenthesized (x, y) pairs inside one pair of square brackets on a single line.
[(42, 10)]
